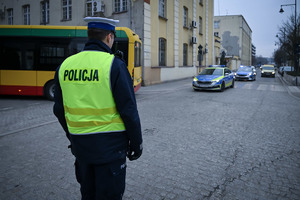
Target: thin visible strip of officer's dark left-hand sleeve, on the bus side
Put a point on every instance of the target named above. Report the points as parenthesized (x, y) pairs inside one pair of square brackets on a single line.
[(58, 108)]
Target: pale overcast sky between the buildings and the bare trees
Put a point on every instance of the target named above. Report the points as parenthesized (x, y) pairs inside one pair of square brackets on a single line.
[(262, 16)]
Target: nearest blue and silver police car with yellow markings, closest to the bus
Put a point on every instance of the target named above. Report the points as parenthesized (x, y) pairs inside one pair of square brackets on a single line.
[(214, 77)]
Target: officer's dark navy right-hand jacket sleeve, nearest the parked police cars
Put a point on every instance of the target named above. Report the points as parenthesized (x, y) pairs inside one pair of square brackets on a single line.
[(123, 92)]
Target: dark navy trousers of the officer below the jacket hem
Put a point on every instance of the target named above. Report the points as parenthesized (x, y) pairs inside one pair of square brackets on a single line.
[(101, 182)]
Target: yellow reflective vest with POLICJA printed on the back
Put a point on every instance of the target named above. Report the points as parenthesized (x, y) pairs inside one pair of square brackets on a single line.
[(87, 97)]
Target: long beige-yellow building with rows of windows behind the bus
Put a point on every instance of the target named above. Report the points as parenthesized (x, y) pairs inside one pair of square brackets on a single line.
[(171, 30)]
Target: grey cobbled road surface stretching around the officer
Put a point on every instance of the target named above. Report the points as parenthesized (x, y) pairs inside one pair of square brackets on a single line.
[(243, 143)]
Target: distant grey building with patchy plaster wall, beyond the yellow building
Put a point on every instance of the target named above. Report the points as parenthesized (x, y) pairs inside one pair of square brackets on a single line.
[(236, 37)]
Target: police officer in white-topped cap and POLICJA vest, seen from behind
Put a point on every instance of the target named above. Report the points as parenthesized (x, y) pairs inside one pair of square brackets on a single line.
[(96, 106)]
